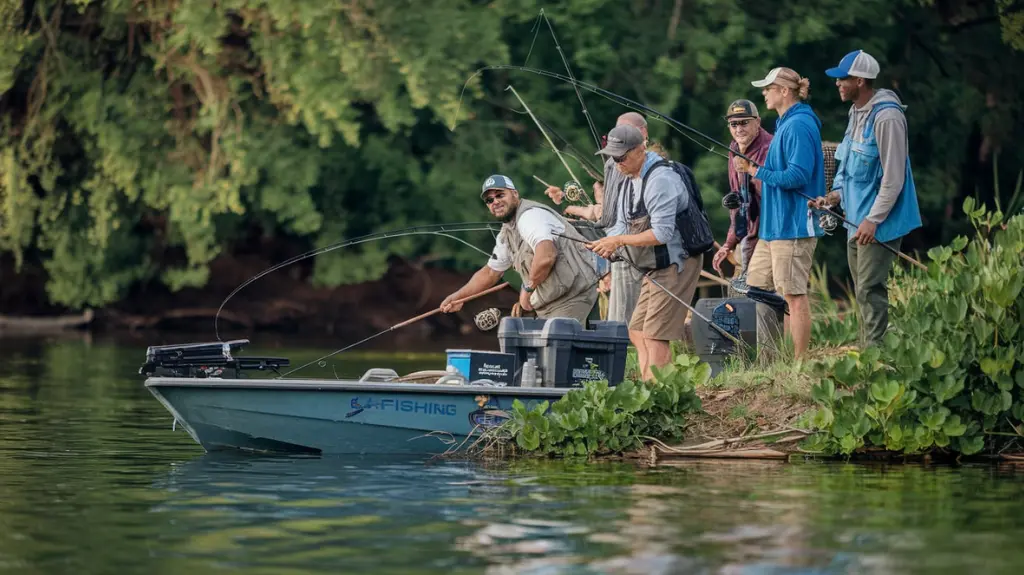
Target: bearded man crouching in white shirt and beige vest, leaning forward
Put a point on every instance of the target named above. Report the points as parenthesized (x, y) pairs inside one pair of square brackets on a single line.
[(560, 276)]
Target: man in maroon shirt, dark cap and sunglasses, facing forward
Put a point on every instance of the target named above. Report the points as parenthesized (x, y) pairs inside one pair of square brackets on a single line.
[(744, 200)]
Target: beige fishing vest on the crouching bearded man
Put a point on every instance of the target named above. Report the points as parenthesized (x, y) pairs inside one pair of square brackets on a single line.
[(574, 273)]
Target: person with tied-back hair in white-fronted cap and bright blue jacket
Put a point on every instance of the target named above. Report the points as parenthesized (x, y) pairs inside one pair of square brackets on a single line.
[(789, 232)]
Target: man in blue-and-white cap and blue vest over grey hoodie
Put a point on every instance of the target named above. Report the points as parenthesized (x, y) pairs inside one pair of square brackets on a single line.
[(875, 186)]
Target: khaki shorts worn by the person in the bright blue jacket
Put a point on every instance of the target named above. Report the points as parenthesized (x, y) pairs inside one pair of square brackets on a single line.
[(783, 266)]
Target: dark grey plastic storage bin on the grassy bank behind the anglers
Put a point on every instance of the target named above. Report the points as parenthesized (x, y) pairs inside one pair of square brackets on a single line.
[(756, 325)]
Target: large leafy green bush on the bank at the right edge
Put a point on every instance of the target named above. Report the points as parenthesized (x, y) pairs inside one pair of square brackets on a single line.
[(951, 373)]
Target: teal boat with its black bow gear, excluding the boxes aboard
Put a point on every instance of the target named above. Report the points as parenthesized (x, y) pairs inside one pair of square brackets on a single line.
[(212, 393)]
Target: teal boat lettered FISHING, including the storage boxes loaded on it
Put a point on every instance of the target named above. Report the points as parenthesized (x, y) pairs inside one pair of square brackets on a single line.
[(228, 402)]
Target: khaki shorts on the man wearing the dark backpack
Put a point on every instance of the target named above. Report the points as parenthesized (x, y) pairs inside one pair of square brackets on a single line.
[(659, 316)]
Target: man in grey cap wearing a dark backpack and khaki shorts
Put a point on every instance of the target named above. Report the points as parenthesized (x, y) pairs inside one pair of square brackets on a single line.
[(646, 231)]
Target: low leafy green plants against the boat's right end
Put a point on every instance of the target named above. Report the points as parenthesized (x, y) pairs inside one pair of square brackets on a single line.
[(600, 420)]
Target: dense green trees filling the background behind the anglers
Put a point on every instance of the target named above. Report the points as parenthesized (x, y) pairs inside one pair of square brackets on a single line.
[(143, 140)]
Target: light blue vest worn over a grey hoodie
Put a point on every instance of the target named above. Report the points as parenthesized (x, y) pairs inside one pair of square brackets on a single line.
[(862, 169)]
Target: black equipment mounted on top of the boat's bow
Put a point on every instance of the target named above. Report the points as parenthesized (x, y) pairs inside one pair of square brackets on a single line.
[(215, 360)]
